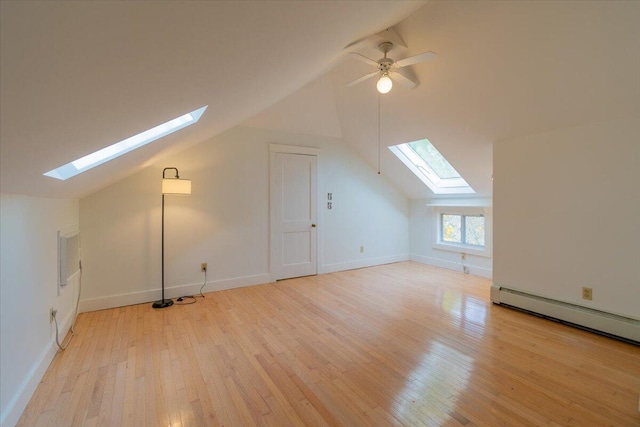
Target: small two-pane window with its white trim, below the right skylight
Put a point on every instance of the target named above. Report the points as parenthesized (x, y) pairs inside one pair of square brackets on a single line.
[(465, 229)]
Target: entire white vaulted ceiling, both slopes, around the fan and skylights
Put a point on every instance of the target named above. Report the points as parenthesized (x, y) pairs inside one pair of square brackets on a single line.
[(79, 76)]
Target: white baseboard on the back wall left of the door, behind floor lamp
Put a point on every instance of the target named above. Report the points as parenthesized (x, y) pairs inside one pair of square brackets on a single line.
[(172, 292)]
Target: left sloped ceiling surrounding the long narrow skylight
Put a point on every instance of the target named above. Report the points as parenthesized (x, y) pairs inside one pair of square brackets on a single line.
[(78, 76)]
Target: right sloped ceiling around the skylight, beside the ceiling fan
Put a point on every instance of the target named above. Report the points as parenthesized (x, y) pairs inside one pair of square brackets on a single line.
[(503, 69)]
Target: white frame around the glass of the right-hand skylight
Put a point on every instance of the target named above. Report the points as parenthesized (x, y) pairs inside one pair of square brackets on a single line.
[(420, 168)]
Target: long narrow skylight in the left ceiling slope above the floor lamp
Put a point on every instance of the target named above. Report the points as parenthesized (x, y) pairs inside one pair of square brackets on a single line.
[(119, 148)]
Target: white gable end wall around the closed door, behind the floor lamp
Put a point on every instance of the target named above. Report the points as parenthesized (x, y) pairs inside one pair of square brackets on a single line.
[(225, 221)]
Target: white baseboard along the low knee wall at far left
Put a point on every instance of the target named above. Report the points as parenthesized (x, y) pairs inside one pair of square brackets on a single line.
[(16, 405)]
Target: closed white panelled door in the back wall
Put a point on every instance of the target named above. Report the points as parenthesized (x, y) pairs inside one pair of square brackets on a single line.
[(293, 202)]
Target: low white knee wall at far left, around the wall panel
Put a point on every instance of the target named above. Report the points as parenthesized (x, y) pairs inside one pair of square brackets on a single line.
[(28, 289)]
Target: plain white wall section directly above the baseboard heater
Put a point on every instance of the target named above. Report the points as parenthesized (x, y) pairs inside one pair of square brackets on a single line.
[(567, 215)]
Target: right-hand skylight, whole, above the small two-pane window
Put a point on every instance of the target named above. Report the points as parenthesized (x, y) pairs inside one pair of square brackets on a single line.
[(426, 162)]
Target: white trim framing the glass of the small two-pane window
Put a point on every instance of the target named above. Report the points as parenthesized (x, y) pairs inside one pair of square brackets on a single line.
[(458, 247)]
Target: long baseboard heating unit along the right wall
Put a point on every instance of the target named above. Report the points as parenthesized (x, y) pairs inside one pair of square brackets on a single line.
[(620, 327)]
